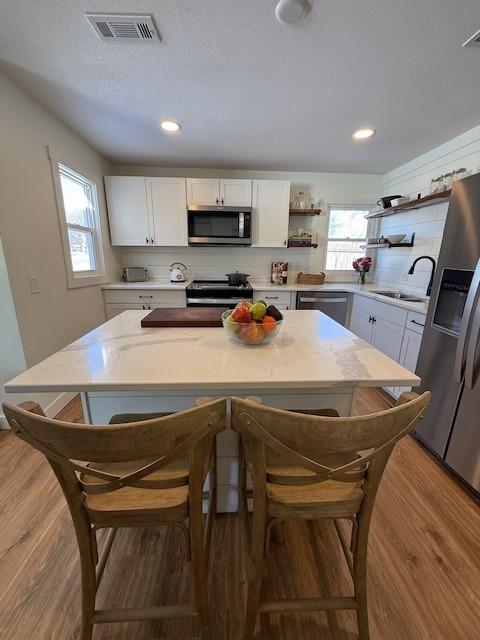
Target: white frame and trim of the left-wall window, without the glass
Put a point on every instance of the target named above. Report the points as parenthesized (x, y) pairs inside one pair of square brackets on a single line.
[(91, 277)]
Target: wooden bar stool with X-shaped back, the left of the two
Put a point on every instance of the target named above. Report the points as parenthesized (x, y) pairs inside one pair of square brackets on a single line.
[(139, 474)]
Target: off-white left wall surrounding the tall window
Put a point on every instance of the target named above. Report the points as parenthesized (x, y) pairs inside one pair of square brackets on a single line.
[(29, 225)]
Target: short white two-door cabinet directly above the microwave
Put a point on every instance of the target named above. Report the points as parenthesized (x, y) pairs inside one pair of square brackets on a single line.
[(229, 193)]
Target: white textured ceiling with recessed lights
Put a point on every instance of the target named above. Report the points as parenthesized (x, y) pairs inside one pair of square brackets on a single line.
[(249, 91)]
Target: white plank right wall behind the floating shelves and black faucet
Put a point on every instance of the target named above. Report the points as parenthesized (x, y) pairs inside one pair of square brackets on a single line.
[(428, 222)]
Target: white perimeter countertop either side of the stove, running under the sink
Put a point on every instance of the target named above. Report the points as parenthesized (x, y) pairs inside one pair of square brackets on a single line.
[(367, 290)]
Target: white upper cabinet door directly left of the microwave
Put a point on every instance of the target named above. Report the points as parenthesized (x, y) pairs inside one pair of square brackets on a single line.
[(168, 206)]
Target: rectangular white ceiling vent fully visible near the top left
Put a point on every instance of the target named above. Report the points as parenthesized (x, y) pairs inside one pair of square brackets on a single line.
[(137, 28)]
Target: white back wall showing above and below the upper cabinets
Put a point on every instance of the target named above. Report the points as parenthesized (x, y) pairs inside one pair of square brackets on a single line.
[(331, 188)]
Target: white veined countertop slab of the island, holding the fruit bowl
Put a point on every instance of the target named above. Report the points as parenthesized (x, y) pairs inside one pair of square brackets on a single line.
[(311, 351)]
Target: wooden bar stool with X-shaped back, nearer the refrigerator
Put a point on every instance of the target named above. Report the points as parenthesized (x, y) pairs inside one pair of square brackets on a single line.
[(311, 467)]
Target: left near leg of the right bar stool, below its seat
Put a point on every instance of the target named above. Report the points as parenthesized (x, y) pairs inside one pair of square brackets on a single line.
[(256, 571)]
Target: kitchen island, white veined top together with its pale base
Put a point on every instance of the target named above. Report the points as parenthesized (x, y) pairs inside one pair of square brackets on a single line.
[(120, 367)]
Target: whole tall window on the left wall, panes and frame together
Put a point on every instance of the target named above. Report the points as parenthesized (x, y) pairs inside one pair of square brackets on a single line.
[(80, 223)]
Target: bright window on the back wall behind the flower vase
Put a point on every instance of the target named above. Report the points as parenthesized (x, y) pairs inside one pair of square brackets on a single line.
[(347, 232)]
